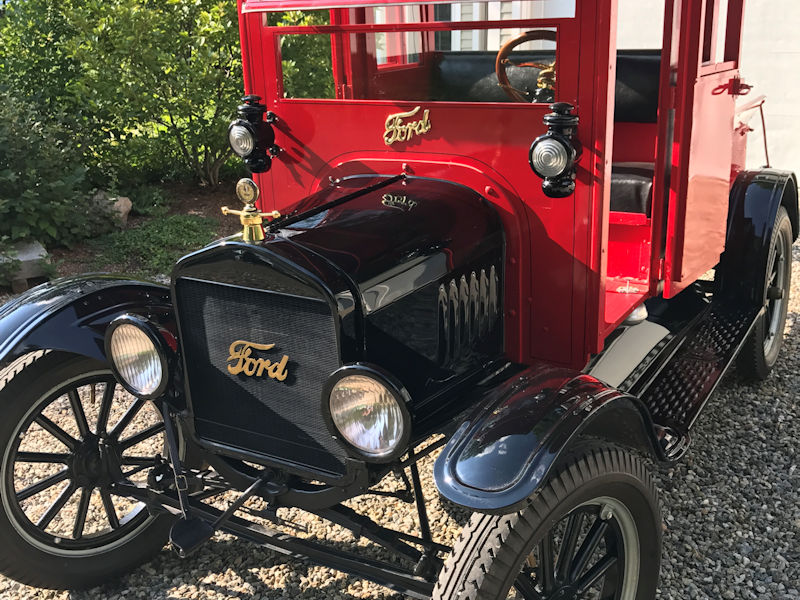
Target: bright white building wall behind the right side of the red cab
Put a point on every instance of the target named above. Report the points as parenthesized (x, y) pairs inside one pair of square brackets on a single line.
[(770, 62)]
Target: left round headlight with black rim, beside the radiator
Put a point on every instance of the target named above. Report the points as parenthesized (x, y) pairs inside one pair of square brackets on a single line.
[(138, 356)]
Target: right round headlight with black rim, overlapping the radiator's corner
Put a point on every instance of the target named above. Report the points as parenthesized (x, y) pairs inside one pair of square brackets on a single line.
[(369, 412)]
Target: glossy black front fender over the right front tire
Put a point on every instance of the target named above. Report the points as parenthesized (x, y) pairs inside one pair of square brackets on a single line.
[(503, 453)]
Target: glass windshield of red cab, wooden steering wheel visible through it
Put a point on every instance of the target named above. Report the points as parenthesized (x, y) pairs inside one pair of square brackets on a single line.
[(422, 52)]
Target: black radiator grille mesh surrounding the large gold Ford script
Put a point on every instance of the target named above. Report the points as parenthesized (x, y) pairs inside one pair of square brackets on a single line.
[(281, 419)]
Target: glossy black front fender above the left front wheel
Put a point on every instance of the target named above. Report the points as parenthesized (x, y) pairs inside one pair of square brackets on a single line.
[(71, 314)]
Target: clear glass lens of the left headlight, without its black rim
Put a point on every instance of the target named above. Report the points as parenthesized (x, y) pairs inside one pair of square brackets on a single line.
[(136, 359)]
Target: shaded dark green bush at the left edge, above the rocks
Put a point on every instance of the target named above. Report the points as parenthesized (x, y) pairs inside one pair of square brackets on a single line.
[(44, 193)]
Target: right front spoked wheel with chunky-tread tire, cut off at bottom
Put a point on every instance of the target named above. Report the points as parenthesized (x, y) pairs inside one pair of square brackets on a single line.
[(592, 533)]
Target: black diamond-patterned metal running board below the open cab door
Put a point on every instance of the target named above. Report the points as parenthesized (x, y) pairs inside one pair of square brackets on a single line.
[(680, 390)]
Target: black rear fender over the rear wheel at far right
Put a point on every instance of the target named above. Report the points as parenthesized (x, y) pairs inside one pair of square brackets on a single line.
[(755, 199)]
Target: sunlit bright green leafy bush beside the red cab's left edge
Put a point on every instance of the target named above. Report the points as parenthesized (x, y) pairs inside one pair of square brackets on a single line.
[(150, 85)]
